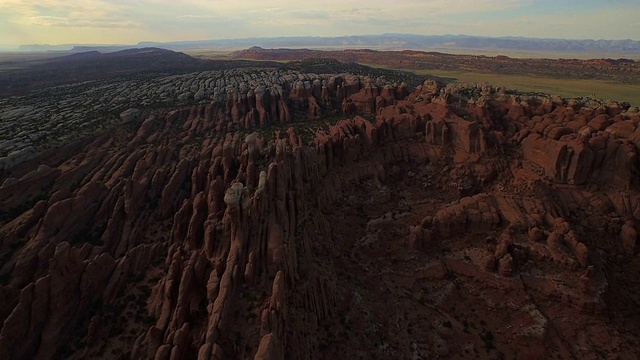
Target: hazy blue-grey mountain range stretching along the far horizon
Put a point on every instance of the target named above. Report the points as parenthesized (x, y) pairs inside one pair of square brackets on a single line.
[(390, 41)]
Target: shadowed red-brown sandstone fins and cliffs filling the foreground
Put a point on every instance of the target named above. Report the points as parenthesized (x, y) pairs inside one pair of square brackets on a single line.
[(451, 221)]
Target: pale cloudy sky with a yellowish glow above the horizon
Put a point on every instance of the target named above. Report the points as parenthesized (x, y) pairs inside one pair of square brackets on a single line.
[(130, 21)]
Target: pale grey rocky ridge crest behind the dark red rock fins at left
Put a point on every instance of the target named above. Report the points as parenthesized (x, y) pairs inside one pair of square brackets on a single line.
[(56, 116)]
